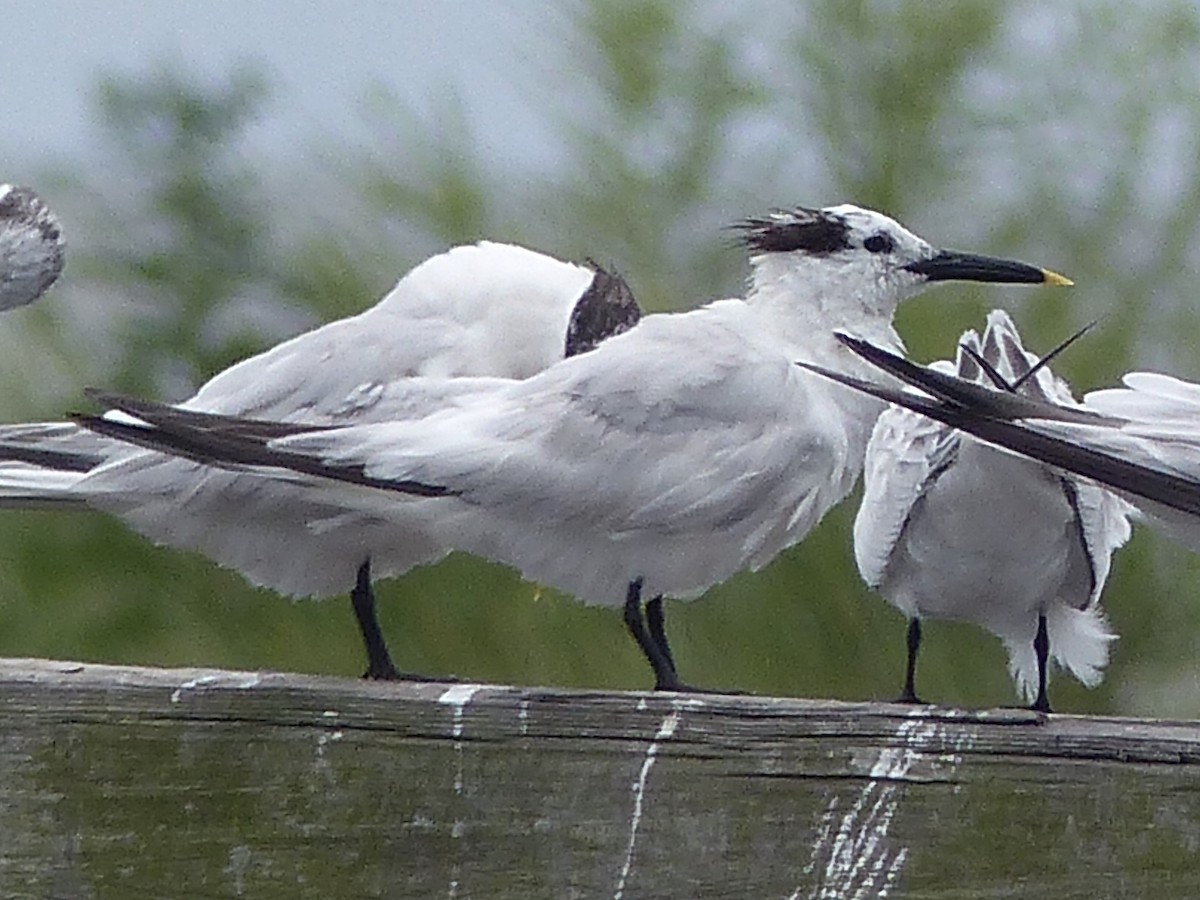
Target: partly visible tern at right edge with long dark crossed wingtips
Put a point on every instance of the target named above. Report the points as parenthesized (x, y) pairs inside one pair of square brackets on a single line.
[(1142, 441)]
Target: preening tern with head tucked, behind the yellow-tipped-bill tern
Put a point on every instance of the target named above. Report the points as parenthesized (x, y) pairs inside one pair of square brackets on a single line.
[(485, 310)]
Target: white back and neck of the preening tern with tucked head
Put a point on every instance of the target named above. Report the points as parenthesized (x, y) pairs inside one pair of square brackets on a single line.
[(482, 310)]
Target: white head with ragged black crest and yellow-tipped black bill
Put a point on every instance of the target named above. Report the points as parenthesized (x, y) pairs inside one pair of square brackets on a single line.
[(848, 262)]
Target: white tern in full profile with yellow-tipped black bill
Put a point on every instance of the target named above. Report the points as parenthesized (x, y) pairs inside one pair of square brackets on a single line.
[(662, 464)]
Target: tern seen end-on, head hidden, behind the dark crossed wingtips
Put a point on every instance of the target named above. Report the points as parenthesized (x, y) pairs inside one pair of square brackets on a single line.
[(953, 529)]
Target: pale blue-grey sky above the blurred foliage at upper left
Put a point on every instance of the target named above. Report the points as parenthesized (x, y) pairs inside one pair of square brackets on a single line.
[(321, 55)]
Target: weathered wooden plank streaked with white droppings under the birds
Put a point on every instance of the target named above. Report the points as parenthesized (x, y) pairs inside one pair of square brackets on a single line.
[(122, 783)]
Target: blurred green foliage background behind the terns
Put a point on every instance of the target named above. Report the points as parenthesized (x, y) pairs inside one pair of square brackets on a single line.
[(1065, 135)]
